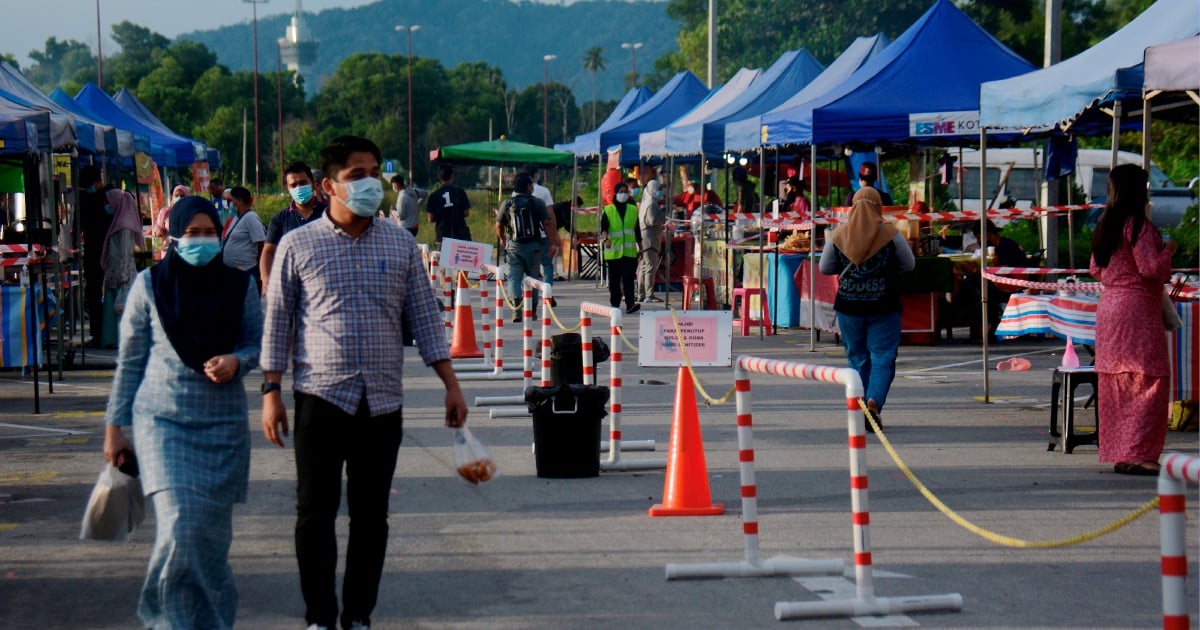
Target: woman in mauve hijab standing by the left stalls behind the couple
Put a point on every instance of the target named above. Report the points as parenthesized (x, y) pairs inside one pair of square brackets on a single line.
[(124, 237)]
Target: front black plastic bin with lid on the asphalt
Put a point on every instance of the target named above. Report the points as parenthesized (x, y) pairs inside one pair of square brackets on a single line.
[(567, 429)]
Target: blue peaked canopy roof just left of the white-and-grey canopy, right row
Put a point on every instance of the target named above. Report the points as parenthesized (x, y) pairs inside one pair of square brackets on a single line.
[(680, 95)]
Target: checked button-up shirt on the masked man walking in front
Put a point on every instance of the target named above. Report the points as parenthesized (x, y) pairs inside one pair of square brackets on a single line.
[(337, 303)]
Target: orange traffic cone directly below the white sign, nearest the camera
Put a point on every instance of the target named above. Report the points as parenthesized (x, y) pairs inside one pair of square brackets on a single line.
[(686, 489)]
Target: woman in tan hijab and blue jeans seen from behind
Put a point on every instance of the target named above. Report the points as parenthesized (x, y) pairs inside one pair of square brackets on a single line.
[(868, 255)]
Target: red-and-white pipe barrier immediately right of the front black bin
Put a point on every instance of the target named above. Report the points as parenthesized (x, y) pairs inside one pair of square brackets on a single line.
[(614, 463)]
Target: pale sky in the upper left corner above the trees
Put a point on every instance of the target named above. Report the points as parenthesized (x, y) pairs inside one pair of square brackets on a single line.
[(32, 22)]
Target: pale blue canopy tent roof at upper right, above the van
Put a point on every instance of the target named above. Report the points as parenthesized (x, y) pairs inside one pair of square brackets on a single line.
[(1075, 94)]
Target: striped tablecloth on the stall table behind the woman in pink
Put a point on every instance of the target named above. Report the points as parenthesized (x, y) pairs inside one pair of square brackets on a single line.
[(1076, 316)]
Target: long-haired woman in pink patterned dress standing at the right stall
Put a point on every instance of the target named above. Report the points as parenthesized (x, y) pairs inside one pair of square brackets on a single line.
[(1133, 374)]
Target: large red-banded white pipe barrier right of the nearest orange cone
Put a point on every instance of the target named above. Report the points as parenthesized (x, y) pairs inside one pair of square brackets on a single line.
[(866, 603)]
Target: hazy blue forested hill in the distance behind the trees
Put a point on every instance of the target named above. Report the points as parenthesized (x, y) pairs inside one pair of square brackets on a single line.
[(513, 37)]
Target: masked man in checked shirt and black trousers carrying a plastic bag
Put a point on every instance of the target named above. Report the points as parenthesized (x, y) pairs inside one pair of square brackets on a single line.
[(338, 292)]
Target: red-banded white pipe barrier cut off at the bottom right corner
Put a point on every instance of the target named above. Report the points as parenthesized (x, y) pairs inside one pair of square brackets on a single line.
[(1177, 471)]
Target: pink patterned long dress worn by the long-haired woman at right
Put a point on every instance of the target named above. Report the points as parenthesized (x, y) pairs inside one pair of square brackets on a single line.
[(1131, 350)]
